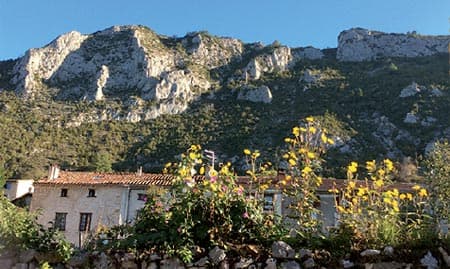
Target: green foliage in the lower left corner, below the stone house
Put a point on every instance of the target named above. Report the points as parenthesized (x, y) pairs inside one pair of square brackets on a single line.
[(20, 230)]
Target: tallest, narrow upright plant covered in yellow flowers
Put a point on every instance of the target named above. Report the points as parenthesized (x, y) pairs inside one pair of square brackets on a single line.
[(305, 147)]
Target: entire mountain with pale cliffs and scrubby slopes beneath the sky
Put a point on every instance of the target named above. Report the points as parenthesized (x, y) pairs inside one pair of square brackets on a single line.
[(144, 98)]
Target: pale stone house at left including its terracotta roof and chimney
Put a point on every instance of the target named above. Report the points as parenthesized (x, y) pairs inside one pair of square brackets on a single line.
[(78, 203)]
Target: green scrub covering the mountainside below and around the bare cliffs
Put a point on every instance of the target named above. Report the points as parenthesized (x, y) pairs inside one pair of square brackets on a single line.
[(348, 101)]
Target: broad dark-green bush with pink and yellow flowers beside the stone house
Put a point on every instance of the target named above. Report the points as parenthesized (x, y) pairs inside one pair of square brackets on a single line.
[(200, 212)]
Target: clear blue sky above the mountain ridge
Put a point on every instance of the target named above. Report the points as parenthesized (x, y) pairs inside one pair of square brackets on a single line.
[(26, 24)]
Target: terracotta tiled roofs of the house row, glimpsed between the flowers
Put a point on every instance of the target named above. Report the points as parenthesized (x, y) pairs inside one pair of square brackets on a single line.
[(95, 178)]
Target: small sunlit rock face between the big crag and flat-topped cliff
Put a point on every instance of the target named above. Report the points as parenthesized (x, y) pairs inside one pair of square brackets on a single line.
[(279, 60)]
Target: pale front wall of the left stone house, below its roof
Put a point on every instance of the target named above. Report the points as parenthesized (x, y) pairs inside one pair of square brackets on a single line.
[(110, 205)]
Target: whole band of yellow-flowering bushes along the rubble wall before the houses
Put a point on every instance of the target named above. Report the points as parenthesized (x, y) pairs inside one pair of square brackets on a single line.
[(192, 216)]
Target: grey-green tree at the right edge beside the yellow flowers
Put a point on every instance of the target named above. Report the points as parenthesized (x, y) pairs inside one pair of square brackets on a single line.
[(438, 173)]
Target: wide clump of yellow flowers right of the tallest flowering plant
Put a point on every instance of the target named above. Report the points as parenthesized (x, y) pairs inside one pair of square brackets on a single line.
[(377, 214)]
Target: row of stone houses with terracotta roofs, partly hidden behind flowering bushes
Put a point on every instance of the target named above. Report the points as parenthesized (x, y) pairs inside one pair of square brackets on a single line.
[(78, 203)]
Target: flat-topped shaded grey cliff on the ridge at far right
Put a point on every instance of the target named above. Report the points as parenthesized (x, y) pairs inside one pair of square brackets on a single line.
[(359, 44)]
